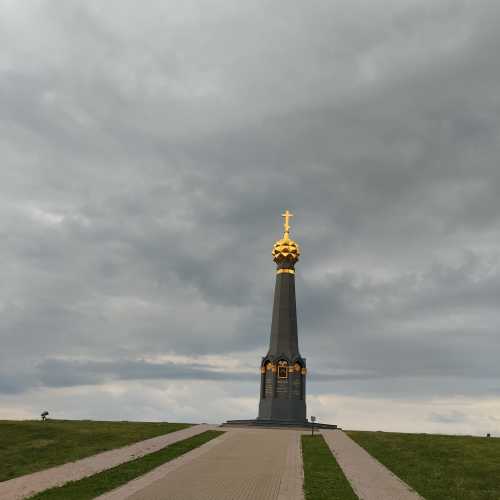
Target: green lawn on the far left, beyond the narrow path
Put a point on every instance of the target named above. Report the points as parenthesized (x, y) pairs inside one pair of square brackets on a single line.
[(30, 446)]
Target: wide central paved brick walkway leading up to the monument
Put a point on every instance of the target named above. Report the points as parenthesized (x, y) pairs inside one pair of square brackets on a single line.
[(242, 464)]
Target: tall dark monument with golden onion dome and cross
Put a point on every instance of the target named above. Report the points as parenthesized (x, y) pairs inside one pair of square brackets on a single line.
[(283, 370)]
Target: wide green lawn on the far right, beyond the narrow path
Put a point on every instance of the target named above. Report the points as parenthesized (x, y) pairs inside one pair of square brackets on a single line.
[(439, 467)]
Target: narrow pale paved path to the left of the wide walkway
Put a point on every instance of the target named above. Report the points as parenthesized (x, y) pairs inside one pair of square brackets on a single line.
[(28, 485)]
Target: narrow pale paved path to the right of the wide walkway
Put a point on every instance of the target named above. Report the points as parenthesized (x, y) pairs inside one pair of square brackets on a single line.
[(369, 479)]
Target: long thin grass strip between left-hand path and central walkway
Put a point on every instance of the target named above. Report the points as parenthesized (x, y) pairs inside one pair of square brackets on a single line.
[(93, 486)]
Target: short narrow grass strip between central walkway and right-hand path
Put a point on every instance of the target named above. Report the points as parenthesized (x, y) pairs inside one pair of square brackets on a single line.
[(323, 478)]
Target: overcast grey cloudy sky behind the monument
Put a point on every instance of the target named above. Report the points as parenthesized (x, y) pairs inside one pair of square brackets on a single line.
[(147, 152)]
